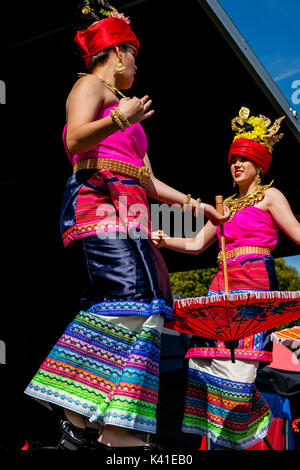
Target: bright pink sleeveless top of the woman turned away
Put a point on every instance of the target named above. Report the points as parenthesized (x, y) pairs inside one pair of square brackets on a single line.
[(129, 146)]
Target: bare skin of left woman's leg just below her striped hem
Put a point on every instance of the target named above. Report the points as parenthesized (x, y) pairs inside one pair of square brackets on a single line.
[(115, 436)]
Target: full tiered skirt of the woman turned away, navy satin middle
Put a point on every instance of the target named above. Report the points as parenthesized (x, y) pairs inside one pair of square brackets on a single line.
[(106, 364)]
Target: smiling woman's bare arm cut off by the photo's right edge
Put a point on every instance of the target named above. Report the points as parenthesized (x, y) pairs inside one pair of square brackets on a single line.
[(281, 212)]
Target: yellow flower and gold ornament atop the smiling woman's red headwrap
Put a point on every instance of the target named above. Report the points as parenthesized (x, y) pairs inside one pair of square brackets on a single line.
[(256, 128)]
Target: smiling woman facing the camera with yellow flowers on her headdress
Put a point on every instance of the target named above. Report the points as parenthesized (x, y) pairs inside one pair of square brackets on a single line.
[(222, 402)]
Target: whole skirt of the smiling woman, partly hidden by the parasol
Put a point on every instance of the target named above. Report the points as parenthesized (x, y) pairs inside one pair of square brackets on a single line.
[(222, 402)]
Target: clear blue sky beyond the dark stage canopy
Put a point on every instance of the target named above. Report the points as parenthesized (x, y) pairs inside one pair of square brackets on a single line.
[(271, 28)]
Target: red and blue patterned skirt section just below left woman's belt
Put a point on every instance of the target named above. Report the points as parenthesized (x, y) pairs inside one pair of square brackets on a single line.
[(103, 204)]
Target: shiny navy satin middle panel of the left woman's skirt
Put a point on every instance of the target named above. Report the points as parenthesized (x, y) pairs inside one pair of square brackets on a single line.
[(123, 277)]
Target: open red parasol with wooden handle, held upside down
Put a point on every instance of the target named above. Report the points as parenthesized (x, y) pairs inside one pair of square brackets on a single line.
[(231, 317)]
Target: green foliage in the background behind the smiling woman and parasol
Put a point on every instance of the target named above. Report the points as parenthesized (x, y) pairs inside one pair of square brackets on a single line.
[(195, 283)]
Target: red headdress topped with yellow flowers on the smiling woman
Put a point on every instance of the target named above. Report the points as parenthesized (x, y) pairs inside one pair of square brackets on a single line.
[(254, 138)]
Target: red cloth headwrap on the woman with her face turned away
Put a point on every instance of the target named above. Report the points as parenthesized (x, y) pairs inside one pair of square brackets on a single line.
[(103, 34)]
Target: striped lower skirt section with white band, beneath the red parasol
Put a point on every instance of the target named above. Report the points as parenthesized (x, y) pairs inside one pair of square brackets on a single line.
[(231, 413)]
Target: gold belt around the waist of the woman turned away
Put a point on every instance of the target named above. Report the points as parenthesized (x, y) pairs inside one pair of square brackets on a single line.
[(142, 174)]
